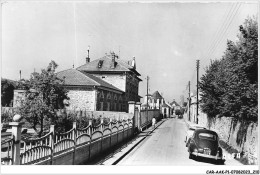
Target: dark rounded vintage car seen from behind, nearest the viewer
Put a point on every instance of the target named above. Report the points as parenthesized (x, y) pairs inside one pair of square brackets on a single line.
[(205, 143)]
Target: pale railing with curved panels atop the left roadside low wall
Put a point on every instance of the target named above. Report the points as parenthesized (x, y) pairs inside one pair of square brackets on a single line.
[(33, 151)]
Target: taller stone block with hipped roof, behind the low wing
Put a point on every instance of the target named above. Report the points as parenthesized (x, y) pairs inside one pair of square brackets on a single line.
[(117, 72)]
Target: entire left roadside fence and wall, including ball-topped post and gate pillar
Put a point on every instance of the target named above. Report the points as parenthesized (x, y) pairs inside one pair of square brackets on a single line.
[(22, 151)]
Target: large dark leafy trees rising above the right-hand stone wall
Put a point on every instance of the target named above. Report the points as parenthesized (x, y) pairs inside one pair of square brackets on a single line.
[(229, 86)]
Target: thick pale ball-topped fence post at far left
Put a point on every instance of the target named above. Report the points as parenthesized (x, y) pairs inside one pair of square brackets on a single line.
[(16, 134)]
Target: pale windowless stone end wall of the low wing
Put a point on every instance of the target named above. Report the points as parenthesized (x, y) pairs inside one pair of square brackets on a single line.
[(82, 99)]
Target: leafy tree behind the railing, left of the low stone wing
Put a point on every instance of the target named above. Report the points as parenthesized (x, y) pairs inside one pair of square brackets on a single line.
[(44, 94)]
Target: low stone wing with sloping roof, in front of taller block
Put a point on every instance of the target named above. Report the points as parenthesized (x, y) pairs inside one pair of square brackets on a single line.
[(87, 92)]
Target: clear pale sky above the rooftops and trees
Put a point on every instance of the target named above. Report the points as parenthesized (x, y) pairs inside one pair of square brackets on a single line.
[(165, 38)]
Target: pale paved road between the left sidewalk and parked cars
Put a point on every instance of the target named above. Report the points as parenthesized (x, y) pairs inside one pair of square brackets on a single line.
[(165, 146)]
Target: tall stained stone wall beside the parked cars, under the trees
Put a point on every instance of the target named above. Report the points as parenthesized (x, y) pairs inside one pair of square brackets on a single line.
[(240, 137)]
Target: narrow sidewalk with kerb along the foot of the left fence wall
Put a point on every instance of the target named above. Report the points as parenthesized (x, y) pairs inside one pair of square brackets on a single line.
[(123, 152)]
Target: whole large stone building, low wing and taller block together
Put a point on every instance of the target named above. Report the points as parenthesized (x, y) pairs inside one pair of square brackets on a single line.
[(105, 84)]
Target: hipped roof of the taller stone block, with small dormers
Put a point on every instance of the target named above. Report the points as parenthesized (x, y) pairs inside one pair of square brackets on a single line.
[(105, 66)]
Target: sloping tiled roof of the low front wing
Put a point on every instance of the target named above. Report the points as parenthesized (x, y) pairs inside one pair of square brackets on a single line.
[(74, 77)]
